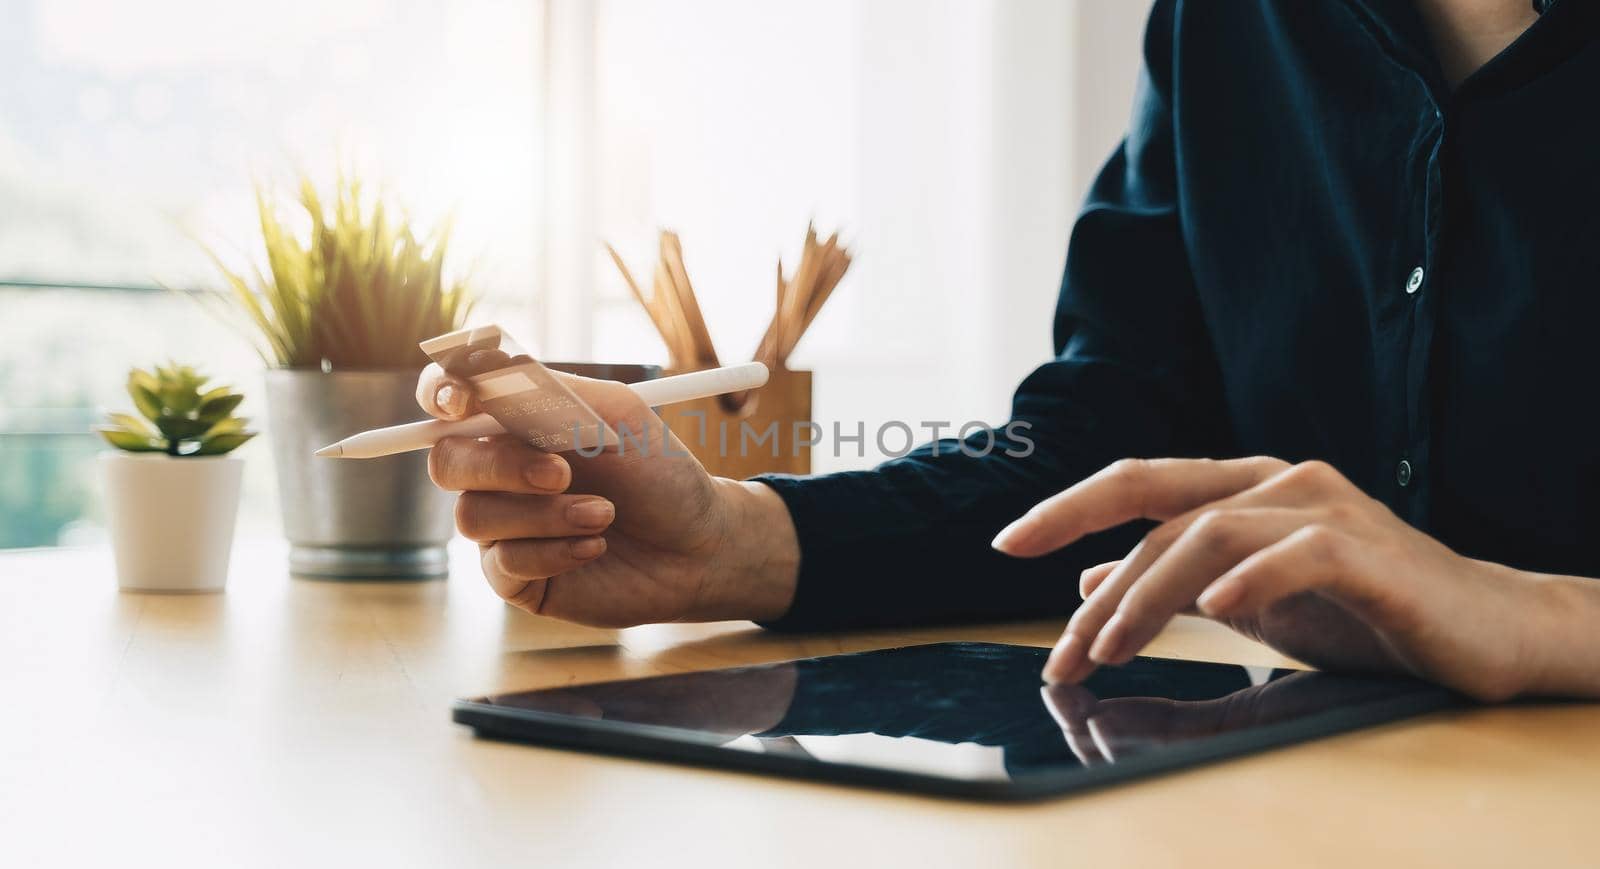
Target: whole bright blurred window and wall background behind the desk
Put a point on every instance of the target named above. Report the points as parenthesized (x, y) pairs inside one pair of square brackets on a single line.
[(950, 142)]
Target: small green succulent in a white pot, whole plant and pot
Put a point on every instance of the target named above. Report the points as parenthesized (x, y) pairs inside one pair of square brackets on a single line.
[(172, 486)]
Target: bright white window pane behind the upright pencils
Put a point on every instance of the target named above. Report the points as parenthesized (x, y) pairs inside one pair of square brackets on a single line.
[(737, 162)]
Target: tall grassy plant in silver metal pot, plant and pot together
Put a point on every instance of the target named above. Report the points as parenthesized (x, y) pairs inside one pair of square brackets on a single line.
[(338, 314)]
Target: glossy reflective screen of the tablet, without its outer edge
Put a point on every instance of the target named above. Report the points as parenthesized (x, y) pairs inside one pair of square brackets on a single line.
[(966, 711)]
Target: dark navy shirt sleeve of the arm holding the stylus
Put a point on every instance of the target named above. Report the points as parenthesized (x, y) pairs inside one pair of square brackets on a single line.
[(908, 542)]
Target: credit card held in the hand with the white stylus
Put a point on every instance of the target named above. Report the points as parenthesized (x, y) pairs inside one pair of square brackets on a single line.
[(521, 394)]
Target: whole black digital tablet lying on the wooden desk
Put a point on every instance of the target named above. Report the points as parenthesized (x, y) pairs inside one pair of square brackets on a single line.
[(954, 719)]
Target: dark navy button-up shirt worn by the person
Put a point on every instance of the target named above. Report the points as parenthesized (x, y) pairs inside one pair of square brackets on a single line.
[(1308, 246)]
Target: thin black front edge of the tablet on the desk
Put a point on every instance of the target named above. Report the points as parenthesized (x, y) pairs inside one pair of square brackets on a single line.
[(705, 750)]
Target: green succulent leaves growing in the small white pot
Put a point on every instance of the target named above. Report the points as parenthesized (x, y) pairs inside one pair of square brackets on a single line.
[(178, 415)]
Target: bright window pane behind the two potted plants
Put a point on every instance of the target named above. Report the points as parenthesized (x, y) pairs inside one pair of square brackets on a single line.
[(132, 130)]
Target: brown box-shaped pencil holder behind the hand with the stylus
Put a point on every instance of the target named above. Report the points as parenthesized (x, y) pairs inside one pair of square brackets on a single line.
[(767, 431)]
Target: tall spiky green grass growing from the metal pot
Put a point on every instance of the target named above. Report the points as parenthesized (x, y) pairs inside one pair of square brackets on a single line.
[(359, 294)]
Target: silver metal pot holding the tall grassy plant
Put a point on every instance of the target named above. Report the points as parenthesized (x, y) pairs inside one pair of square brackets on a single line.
[(372, 519)]
